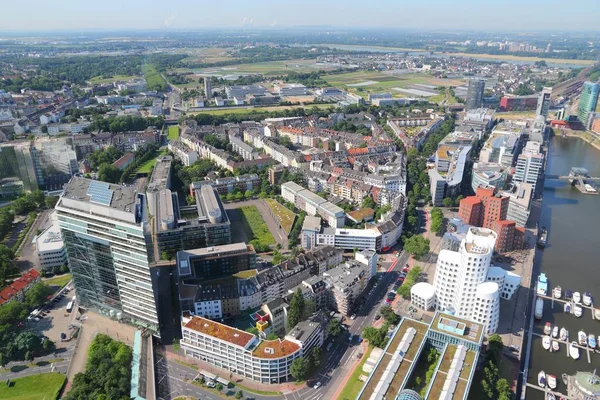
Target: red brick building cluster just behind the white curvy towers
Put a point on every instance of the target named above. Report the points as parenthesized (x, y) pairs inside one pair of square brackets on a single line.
[(489, 211)]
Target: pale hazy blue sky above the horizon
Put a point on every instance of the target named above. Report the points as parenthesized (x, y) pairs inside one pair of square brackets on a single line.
[(198, 14)]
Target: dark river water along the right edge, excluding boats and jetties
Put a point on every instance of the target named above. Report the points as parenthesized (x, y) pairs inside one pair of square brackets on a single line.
[(571, 257)]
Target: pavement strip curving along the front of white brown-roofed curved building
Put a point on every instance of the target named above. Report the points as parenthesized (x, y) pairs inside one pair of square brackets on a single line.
[(250, 384)]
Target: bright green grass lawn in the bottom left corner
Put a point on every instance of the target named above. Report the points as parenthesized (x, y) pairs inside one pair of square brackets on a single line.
[(35, 387)]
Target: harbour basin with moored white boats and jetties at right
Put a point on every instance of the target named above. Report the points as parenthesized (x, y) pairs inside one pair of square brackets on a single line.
[(567, 259)]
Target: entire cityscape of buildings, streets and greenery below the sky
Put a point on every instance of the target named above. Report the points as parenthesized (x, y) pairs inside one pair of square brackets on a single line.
[(187, 218)]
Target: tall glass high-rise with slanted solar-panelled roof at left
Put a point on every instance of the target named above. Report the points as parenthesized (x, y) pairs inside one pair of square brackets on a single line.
[(106, 235)]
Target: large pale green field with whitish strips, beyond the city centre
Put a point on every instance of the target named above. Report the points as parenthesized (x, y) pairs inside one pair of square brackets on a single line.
[(400, 85)]
